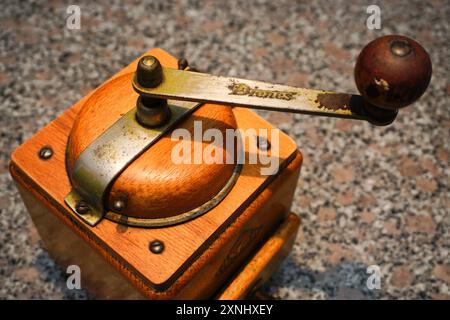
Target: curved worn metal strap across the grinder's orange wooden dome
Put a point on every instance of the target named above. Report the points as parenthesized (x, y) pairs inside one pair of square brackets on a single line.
[(107, 156)]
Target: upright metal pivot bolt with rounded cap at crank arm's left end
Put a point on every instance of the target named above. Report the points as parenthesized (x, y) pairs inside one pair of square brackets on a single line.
[(150, 112)]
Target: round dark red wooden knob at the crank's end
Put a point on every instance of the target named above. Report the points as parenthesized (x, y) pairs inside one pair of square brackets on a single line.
[(392, 72)]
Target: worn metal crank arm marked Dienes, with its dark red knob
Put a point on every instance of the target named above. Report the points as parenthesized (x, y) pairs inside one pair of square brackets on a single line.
[(391, 72)]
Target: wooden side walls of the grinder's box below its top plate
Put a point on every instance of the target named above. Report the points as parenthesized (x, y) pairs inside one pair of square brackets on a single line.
[(205, 276)]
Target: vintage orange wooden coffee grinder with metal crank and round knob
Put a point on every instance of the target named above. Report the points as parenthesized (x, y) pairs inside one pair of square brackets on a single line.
[(104, 192)]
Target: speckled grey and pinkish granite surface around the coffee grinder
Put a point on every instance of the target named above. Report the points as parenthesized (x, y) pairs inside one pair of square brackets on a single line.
[(366, 195)]
